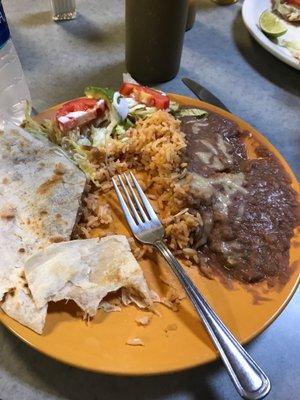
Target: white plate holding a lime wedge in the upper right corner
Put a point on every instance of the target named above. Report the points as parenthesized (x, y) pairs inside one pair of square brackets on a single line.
[(251, 12)]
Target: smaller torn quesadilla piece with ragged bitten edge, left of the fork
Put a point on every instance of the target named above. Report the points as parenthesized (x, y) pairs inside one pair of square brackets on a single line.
[(86, 271)]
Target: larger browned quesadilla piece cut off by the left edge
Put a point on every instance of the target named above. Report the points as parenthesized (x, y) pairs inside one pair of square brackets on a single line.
[(40, 193)]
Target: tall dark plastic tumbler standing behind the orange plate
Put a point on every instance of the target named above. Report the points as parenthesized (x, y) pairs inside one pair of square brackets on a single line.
[(154, 38)]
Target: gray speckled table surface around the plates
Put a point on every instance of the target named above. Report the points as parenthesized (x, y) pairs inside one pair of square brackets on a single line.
[(59, 60)]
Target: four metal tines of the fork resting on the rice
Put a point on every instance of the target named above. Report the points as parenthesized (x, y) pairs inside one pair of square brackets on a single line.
[(140, 210)]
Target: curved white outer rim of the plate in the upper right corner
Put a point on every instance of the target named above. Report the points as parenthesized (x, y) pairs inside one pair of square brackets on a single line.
[(259, 37)]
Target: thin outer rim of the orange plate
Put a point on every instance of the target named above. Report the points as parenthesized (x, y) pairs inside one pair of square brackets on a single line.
[(215, 356)]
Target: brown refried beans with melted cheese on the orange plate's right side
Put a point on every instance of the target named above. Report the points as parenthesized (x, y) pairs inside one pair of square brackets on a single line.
[(248, 207)]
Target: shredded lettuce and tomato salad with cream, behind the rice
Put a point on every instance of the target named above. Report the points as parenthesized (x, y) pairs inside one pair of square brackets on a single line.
[(102, 116)]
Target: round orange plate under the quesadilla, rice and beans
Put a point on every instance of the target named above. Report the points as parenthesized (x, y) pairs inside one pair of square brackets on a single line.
[(101, 345)]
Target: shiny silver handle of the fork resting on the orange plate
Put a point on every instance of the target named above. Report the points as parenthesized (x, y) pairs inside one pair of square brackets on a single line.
[(248, 378)]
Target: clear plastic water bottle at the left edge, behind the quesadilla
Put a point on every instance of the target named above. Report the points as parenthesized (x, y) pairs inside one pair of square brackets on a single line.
[(14, 91)]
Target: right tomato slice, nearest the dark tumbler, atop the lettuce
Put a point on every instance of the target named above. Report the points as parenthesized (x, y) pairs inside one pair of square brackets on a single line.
[(145, 95)]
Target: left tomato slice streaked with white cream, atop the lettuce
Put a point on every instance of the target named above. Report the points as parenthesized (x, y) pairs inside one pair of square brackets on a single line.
[(79, 112)]
